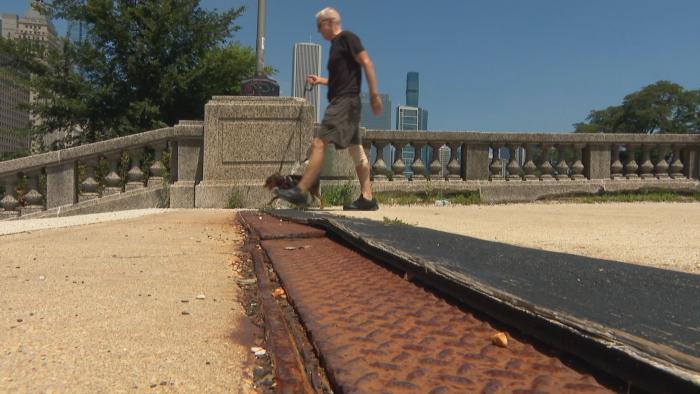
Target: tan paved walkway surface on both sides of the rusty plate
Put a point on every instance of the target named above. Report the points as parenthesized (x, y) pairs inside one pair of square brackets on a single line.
[(99, 307)]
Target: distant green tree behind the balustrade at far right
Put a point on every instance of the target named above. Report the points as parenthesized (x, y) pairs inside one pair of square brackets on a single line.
[(663, 107)]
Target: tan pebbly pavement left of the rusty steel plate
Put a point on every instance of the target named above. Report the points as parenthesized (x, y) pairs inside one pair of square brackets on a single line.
[(113, 307)]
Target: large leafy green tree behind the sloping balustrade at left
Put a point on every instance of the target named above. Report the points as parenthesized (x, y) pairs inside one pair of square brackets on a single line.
[(141, 65)]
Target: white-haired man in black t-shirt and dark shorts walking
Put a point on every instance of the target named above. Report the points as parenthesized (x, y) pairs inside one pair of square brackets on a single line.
[(341, 122)]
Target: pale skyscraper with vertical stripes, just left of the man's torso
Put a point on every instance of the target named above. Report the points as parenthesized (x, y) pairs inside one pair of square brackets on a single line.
[(306, 60)]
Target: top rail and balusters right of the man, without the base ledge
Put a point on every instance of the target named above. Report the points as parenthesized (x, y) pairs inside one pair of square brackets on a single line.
[(560, 156)]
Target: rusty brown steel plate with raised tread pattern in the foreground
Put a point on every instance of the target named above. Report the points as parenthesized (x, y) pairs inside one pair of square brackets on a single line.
[(376, 332)]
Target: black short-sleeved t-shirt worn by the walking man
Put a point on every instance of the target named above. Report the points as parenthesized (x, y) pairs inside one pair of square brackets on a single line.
[(344, 73)]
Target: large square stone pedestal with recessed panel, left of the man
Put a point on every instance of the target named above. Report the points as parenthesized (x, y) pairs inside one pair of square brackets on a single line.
[(245, 139)]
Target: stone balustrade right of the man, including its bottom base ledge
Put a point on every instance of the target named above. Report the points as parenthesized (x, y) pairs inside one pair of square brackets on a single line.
[(505, 167)]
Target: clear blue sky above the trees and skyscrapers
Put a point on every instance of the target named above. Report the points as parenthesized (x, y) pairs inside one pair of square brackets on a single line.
[(497, 65)]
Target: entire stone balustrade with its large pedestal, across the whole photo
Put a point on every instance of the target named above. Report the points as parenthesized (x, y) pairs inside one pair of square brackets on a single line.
[(224, 160)]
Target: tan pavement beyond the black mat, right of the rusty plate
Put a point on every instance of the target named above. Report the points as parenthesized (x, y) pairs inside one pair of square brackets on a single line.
[(662, 235)]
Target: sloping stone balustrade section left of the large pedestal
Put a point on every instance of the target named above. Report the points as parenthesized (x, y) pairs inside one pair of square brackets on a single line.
[(66, 182)]
